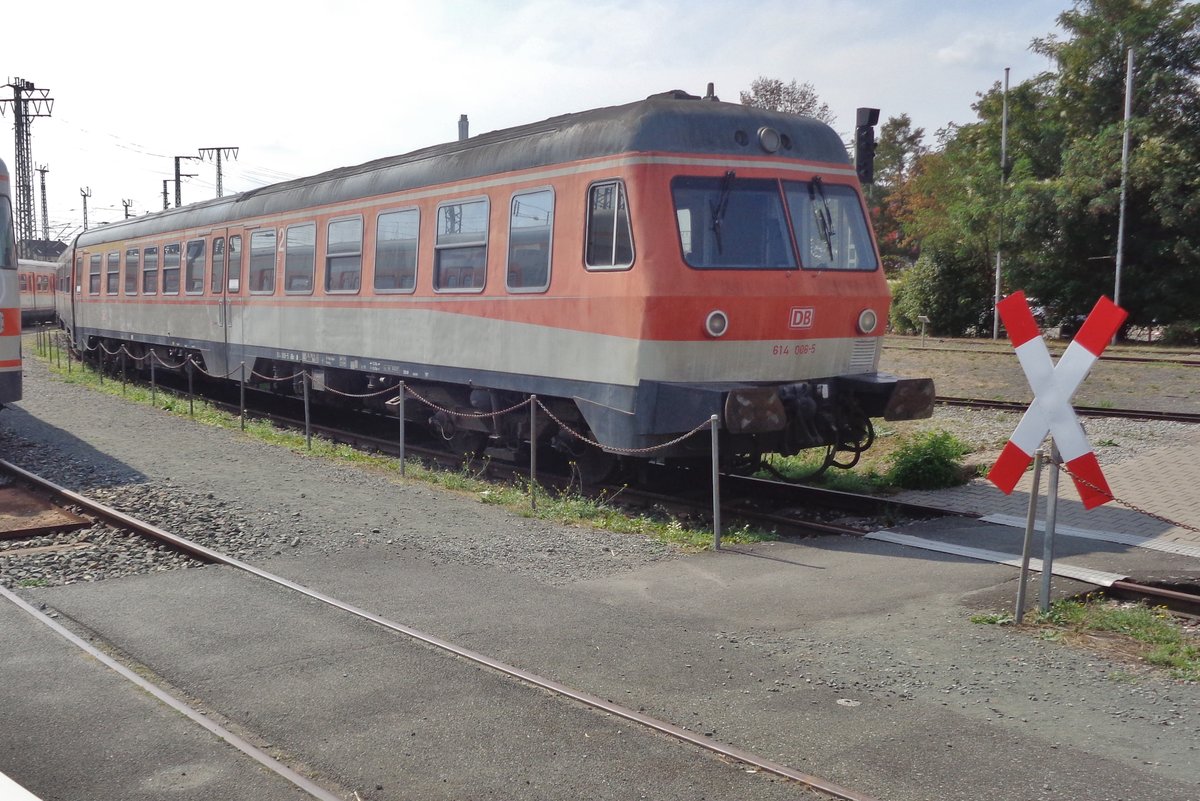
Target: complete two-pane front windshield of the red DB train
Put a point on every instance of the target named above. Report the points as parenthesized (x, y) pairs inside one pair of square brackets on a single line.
[(735, 224)]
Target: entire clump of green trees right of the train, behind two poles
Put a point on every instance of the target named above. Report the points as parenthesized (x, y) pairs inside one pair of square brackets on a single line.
[(1055, 215)]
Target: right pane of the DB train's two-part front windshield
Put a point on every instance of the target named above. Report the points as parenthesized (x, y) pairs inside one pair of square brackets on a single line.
[(831, 227)]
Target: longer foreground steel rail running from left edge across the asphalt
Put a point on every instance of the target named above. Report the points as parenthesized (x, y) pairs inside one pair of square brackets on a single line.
[(584, 697)]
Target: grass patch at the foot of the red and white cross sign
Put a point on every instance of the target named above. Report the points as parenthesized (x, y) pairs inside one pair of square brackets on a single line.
[(1131, 631)]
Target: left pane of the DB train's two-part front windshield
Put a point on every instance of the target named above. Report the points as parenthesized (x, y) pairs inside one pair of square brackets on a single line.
[(733, 224)]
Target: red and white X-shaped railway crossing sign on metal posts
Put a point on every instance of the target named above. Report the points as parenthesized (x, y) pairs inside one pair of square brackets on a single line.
[(1054, 386)]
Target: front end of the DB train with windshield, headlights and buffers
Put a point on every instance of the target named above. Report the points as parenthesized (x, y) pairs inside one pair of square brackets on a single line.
[(771, 278)]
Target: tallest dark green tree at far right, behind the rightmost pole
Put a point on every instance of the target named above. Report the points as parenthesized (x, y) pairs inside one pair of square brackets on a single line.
[(1161, 278)]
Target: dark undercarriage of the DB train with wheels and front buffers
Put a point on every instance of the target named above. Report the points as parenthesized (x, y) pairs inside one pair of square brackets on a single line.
[(832, 418)]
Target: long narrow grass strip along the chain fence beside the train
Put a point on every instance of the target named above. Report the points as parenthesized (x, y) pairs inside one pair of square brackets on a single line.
[(566, 508)]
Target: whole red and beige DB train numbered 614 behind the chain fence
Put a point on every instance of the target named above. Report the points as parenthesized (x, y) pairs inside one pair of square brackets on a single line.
[(639, 268)]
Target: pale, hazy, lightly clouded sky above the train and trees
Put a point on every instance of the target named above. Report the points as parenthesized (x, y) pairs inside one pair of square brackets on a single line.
[(311, 86)]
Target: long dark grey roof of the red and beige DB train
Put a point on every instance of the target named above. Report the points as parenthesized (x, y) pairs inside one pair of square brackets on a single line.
[(668, 123)]
